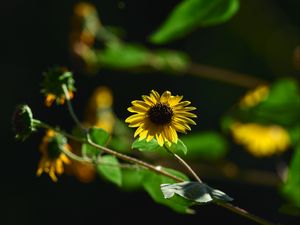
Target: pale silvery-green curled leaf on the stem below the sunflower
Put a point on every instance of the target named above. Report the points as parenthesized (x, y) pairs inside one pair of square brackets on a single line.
[(199, 193)]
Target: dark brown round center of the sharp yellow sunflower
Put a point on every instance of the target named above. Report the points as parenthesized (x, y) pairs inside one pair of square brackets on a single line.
[(160, 114)]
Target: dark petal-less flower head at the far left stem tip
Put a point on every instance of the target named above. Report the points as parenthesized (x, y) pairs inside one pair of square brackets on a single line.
[(22, 122)]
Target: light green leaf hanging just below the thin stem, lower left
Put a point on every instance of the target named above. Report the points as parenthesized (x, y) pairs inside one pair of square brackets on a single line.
[(108, 166)]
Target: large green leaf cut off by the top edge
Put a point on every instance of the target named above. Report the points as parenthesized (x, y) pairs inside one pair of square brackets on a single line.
[(191, 14)]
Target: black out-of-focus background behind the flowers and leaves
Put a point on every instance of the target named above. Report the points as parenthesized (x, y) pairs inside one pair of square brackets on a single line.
[(259, 40)]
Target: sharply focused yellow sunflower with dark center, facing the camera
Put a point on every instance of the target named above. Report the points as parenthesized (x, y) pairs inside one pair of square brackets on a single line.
[(160, 117)]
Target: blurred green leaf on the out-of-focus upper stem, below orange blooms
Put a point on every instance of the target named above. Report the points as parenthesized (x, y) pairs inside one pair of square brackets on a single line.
[(121, 56)]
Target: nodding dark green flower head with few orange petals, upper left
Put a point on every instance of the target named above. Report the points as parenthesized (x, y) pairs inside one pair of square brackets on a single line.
[(54, 79)]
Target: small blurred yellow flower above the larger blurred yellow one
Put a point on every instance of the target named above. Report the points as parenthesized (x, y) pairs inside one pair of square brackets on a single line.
[(254, 97)]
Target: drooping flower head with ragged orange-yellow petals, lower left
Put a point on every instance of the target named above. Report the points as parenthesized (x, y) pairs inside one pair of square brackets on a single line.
[(53, 160)]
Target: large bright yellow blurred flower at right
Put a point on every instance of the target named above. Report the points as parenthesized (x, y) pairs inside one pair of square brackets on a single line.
[(261, 140)]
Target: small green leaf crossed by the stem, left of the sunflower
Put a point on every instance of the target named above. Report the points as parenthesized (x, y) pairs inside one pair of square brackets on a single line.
[(98, 136)]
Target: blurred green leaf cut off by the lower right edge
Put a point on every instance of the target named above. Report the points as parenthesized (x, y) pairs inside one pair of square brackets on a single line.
[(291, 188)]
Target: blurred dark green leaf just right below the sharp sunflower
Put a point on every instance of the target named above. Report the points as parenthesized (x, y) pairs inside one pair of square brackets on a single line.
[(206, 145)]
